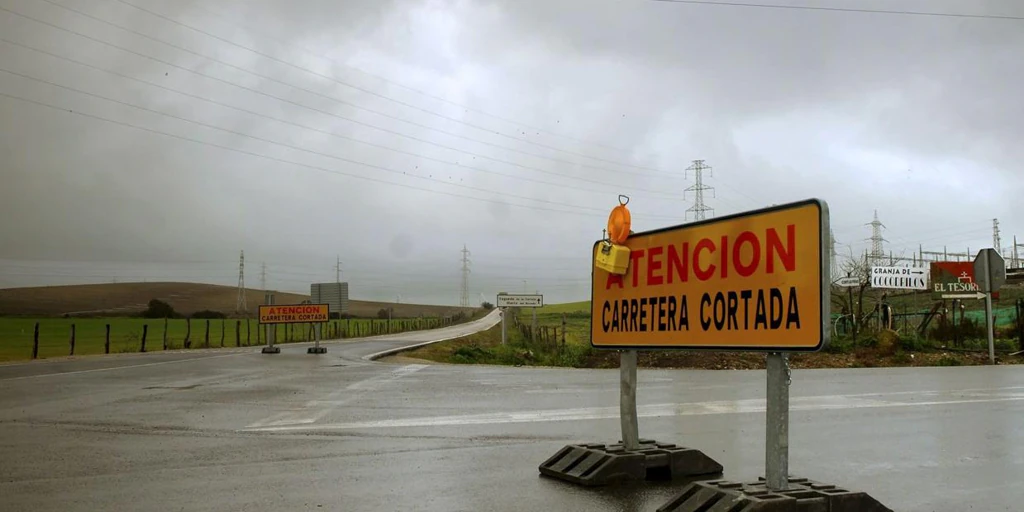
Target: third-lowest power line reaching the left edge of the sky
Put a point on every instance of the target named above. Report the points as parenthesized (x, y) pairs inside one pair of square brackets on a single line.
[(328, 133)]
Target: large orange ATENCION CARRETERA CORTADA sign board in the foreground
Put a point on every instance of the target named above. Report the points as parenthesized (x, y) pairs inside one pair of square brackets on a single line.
[(756, 281)]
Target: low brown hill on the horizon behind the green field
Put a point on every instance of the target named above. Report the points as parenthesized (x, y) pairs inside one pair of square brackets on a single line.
[(122, 300)]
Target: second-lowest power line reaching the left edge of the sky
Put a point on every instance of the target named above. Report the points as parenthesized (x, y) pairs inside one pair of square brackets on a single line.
[(312, 152)]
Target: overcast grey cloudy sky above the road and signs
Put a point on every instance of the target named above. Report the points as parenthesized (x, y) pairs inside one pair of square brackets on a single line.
[(394, 133)]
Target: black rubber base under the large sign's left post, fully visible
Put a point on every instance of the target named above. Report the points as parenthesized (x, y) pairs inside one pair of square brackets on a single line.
[(595, 464)]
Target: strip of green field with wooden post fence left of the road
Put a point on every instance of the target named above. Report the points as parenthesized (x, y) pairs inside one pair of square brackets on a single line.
[(22, 338)]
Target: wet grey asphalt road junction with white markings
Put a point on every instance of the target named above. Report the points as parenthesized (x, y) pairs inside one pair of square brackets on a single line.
[(234, 430)]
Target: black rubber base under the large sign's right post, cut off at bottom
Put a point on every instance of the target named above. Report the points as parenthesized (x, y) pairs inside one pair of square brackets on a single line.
[(802, 496)]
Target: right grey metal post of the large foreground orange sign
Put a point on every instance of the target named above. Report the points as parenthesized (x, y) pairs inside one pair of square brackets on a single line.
[(778, 429)]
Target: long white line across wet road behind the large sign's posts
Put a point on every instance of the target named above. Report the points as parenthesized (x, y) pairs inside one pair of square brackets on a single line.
[(653, 411)]
